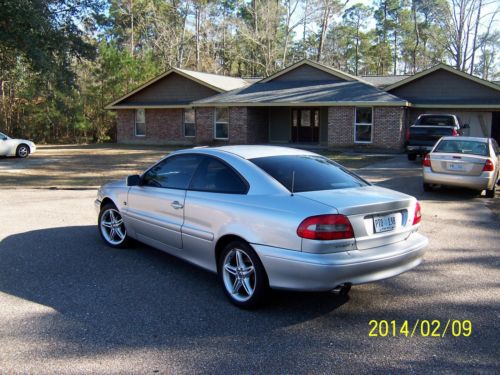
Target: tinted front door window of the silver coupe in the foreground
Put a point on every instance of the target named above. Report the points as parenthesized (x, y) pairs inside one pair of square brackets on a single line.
[(174, 172)]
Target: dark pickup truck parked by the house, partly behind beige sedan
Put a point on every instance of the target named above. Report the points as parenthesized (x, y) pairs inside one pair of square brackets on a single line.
[(427, 130)]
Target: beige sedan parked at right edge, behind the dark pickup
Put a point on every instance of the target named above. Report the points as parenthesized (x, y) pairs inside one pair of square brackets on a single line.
[(468, 162)]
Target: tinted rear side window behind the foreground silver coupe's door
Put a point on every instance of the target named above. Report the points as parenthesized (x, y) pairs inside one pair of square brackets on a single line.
[(215, 176)]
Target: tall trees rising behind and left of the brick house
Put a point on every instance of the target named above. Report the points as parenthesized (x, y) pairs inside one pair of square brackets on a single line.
[(62, 61)]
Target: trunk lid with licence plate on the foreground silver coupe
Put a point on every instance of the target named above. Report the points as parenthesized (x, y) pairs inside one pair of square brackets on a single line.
[(378, 216)]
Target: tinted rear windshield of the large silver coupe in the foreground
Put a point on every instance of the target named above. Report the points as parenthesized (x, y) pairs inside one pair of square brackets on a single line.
[(308, 173)]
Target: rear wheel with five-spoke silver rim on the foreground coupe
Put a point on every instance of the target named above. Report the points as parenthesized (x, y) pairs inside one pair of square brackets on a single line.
[(242, 275)]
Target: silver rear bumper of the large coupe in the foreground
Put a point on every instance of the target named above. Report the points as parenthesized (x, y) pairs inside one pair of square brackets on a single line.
[(287, 269)]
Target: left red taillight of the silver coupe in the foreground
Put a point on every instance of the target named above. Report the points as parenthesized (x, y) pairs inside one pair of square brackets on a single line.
[(326, 227)]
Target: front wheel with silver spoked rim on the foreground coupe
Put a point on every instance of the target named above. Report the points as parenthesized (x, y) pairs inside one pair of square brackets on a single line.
[(111, 227)]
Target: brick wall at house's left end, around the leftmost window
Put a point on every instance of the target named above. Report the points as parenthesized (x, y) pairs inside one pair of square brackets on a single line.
[(163, 126)]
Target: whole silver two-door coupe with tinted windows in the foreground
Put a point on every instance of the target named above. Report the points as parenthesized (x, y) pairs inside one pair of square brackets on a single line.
[(263, 216)]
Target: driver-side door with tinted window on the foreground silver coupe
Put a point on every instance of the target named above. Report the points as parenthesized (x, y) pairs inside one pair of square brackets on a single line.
[(156, 207)]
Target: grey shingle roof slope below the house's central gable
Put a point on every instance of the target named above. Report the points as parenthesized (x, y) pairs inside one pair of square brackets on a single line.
[(314, 93)]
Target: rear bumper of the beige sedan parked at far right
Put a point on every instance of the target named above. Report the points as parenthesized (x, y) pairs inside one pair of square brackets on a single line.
[(485, 180)]
